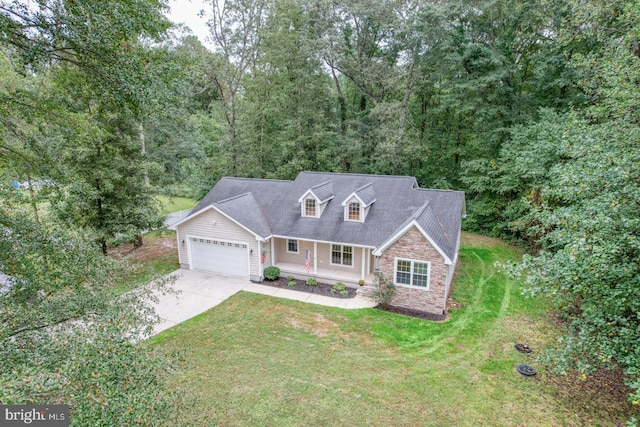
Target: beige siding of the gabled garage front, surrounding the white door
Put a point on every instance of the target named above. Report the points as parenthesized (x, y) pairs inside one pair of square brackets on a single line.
[(212, 224)]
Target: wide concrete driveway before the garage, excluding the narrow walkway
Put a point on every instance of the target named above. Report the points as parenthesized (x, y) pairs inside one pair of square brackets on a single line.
[(199, 291)]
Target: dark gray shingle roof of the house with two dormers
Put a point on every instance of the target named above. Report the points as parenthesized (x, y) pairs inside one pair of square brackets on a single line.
[(272, 208)]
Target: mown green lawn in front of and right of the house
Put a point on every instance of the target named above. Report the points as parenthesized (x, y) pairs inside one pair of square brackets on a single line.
[(260, 361)]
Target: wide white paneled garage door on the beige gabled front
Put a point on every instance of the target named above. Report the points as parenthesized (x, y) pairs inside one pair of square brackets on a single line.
[(219, 257)]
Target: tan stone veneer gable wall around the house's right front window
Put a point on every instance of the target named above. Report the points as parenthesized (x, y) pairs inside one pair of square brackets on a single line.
[(413, 245)]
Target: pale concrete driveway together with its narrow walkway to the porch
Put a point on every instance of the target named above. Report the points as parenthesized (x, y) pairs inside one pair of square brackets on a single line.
[(198, 291)]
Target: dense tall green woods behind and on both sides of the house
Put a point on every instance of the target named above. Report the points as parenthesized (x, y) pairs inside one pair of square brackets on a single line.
[(529, 106)]
